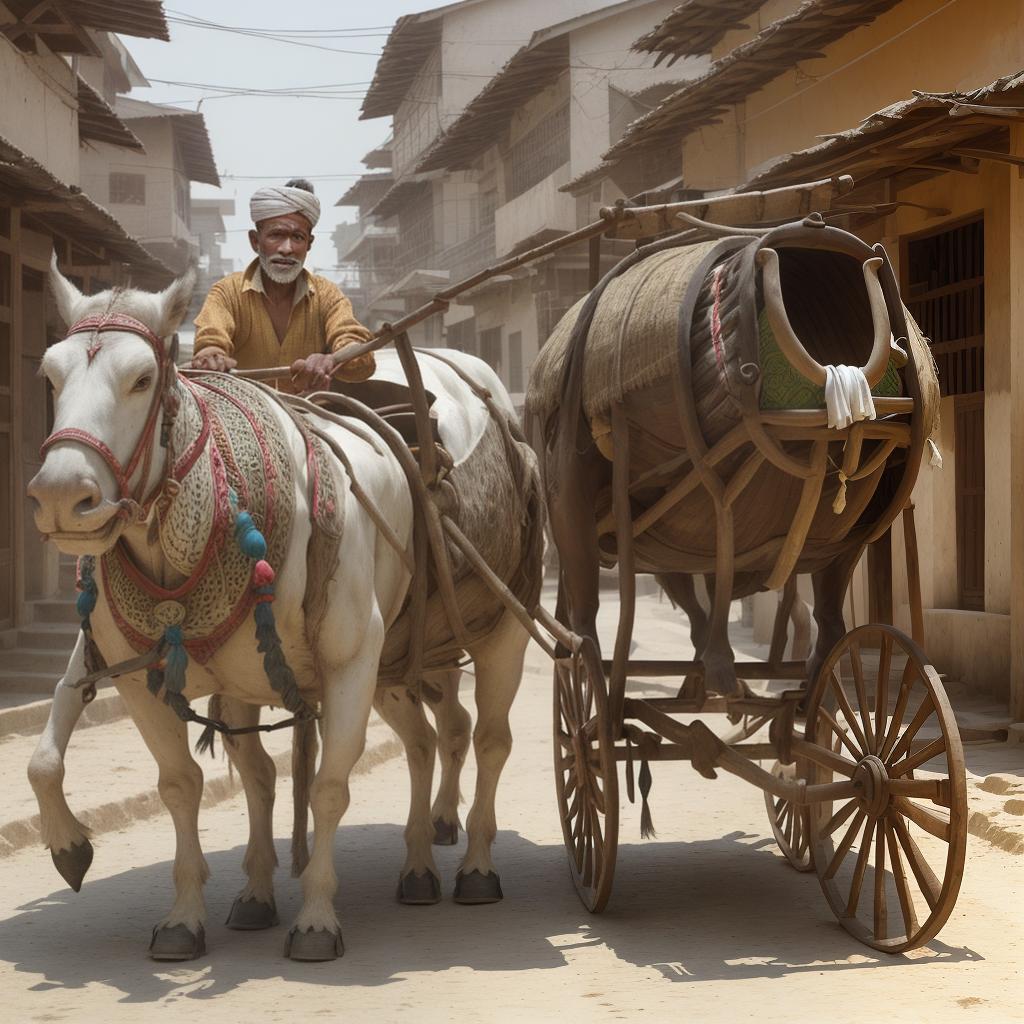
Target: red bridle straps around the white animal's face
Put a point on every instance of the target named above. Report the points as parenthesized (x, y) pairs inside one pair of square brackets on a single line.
[(143, 451)]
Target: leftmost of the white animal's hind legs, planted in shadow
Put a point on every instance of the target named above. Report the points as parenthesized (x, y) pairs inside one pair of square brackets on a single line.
[(419, 882)]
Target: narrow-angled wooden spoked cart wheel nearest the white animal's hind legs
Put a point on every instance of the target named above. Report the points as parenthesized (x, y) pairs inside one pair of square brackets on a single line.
[(586, 775)]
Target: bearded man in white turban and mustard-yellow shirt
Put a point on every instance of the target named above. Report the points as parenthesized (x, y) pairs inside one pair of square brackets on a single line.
[(276, 313)]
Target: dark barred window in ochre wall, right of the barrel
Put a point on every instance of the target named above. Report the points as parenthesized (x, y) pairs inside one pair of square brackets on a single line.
[(946, 292)]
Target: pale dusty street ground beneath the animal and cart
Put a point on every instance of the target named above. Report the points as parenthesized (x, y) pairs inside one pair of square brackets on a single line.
[(706, 922)]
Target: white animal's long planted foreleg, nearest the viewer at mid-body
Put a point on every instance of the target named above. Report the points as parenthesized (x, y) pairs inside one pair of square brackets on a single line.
[(348, 700)]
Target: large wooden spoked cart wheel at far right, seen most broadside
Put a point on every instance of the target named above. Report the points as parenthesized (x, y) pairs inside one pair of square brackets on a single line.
[(890, 860)]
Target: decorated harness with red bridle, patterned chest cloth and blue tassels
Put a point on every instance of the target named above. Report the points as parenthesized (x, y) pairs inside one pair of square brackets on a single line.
[(231, 483)]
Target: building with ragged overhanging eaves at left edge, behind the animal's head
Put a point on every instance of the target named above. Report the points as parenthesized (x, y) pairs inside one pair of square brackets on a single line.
[(61, 70)]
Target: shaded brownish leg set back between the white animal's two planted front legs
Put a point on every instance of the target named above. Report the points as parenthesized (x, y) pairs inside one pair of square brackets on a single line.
[(254, 908)]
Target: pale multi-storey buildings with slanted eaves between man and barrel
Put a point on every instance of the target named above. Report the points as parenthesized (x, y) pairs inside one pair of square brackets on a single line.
[(486, 141)]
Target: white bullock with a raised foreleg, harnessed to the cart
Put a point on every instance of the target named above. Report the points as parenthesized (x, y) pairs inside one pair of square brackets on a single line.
[(104, 485)]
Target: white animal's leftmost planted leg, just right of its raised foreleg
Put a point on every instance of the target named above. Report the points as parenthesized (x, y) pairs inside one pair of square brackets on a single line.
[(182, 934)]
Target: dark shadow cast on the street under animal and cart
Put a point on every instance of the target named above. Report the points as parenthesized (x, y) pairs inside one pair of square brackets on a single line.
[(695, 912)]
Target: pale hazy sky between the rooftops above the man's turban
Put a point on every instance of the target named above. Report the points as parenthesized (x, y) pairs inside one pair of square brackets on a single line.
[(264, 140)]
